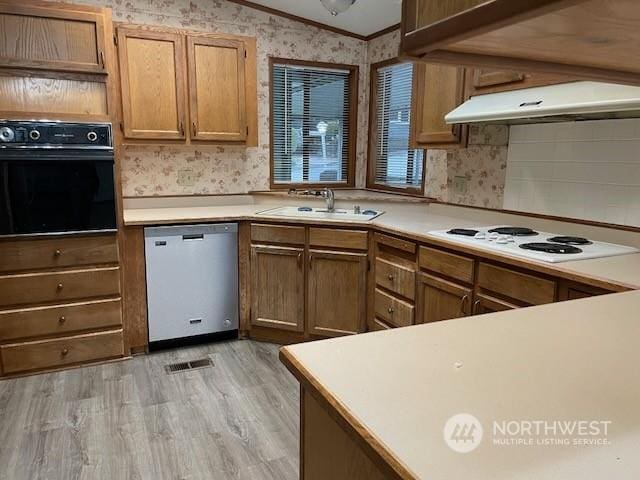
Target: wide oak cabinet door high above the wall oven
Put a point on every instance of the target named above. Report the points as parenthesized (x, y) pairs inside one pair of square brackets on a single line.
[(51, 38)]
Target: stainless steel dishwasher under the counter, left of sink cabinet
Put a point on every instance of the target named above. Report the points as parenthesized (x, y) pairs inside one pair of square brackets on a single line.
[(192, 283)]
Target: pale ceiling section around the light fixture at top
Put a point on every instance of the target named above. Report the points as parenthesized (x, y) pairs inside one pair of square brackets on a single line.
[(364, 18)]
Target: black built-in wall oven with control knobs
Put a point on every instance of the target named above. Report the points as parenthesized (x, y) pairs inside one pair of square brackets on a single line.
[(56, 177)]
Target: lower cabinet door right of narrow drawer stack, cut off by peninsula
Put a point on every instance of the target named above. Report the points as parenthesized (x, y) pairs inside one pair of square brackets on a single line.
[(440, 299)]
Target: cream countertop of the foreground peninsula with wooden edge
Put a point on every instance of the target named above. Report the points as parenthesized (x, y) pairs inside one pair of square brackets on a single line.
[(569, 361)]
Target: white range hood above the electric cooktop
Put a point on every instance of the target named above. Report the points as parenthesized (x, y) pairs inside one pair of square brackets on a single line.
[(564, 102)]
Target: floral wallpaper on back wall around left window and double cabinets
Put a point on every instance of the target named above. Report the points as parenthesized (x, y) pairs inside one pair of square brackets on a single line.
[(151, 171)]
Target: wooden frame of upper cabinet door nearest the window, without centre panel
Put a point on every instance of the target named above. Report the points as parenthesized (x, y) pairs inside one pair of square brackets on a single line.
[(196, 132)]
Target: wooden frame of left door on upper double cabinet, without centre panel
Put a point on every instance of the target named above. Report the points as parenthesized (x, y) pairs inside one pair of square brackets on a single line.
[(179, 60)]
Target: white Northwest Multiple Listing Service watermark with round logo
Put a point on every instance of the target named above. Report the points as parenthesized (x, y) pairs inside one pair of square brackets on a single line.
[(464, 433)]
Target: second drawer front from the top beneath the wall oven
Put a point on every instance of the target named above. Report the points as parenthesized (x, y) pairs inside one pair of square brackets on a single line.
[(34, 288)]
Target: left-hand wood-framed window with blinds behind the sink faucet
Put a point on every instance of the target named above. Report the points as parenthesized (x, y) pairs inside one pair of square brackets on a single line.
[(313, 123)]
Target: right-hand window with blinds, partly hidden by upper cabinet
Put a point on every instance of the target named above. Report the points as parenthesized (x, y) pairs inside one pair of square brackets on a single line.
[(392, 164)]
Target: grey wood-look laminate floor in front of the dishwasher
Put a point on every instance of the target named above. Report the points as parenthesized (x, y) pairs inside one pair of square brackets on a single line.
[(131, 420)]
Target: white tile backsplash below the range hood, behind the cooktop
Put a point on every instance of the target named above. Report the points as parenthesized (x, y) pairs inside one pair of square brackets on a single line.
[(586, 170)]
